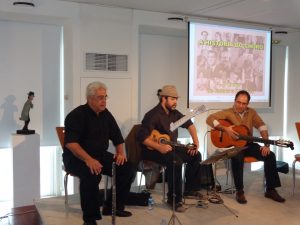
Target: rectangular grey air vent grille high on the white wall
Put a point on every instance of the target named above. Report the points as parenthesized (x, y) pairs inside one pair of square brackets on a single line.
[(106, 62)]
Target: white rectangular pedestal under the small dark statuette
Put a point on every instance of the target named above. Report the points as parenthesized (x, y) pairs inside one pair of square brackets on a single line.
[(26, 168)]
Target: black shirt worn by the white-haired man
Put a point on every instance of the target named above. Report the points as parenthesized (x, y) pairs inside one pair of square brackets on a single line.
[(91, 131)]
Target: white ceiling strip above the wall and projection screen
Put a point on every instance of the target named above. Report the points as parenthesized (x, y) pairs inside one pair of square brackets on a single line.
[(279, 14)]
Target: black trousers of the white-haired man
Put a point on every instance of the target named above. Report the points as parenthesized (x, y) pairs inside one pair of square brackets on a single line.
[(89, 184)]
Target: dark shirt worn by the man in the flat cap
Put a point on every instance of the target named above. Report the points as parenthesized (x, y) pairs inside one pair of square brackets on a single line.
[(159, 120)]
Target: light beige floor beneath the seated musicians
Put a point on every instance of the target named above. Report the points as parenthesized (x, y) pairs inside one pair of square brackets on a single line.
[(259, 210)]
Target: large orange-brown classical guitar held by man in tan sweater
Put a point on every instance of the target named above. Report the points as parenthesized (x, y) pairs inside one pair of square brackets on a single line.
[(222, 140)]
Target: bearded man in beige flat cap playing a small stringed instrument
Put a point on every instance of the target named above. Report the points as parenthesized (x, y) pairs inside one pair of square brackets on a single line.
[(159, 119)]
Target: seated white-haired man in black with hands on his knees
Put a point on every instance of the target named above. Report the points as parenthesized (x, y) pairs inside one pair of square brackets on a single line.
[(88, 129)]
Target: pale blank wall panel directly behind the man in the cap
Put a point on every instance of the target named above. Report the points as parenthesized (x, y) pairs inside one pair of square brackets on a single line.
[(163, 60)]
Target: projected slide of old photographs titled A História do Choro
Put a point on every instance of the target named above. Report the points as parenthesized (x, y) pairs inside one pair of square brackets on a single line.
[(228, 59)]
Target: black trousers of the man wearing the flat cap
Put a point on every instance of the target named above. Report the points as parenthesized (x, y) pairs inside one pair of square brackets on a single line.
[(179, 156)]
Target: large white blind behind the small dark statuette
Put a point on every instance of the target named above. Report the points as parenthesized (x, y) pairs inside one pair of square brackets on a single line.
[(29, 61)]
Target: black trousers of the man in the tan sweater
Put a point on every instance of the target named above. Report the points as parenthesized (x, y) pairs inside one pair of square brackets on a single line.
[(253, 149)]
